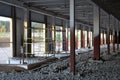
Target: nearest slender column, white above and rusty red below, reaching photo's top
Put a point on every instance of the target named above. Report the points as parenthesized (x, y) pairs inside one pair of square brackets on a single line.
[(72, 38)]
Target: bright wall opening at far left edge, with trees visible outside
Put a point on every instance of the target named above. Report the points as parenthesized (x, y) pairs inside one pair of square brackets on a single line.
[(5, 38)]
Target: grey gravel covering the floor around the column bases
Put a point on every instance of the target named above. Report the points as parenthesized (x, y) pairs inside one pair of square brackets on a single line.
[(108, 68)]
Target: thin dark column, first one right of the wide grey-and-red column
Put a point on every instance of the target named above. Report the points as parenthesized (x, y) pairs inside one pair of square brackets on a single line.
[(108, 35)]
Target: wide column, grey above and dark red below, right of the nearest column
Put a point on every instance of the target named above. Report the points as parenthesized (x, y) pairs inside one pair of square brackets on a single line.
[(96, 32)]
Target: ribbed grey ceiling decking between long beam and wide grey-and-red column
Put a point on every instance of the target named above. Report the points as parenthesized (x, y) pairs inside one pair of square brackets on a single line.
[(83, 8)]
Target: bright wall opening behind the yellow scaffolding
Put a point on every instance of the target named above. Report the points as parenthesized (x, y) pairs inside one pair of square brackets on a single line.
[(38, 38)]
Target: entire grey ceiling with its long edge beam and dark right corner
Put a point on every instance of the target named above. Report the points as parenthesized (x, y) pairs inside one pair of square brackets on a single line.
[(60, 8)]
